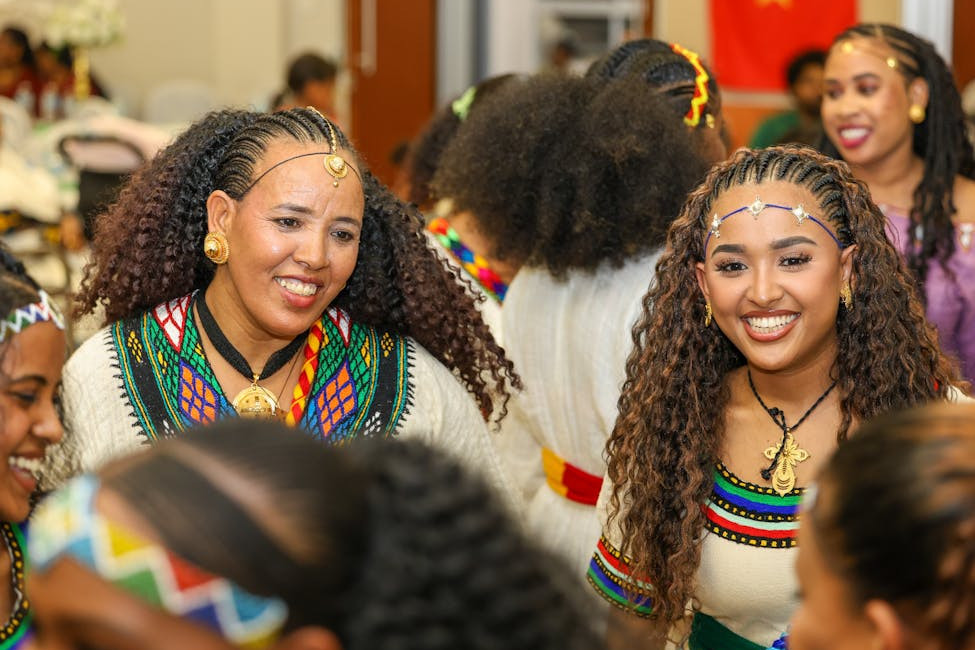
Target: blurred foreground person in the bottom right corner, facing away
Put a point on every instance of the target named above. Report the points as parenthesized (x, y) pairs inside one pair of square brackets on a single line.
[(887, 540)]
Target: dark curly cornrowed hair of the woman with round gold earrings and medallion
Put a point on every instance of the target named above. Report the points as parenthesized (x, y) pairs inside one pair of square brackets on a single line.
[(148, 246)]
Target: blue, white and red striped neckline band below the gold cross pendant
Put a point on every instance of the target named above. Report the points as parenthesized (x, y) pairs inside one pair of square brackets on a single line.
[(750, 514)]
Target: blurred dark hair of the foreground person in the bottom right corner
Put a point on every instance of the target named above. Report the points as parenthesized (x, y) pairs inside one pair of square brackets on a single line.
[(895, 518)]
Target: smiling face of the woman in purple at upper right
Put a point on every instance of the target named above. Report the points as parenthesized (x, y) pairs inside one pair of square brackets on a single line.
[(866, 102)]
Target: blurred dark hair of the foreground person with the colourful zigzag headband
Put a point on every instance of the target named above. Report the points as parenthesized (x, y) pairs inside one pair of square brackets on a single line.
[(414, 553)]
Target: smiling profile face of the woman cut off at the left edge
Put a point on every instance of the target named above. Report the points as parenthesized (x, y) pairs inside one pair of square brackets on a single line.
[(31, 376)]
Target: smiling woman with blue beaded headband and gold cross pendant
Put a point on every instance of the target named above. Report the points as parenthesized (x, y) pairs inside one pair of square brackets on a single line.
[(780, 318)]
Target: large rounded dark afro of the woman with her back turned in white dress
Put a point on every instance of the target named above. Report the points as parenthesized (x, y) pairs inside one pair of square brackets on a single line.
[(569, 173)]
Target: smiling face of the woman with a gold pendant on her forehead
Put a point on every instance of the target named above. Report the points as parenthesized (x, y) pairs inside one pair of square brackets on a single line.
[(293, 238)]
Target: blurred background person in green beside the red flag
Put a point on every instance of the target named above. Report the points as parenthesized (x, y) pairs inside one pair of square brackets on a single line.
[(802, 124)]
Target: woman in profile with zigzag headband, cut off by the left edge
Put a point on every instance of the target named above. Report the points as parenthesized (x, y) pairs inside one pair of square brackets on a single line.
[(32, 350)]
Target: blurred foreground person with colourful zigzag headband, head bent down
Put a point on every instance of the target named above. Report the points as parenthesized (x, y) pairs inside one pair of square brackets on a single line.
[(386, 545)]
